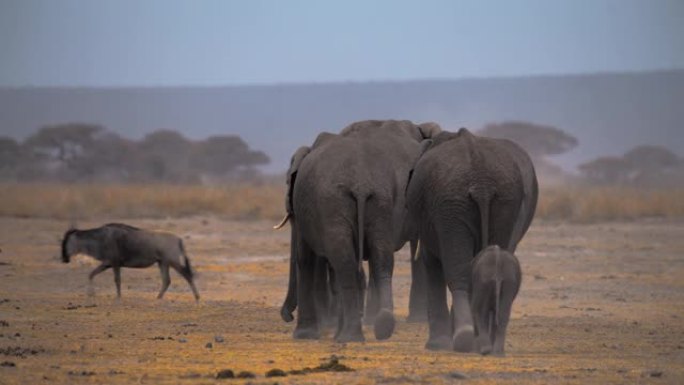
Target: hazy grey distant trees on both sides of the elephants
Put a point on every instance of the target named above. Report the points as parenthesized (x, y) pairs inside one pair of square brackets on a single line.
[(89, 152)]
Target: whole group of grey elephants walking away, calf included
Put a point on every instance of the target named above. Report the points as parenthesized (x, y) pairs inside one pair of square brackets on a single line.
[(462, 201)]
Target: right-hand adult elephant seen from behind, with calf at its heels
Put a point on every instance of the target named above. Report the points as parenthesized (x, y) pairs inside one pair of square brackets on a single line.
[(466, 192)]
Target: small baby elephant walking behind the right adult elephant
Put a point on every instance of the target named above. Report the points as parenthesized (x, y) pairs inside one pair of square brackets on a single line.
[(495, 283)]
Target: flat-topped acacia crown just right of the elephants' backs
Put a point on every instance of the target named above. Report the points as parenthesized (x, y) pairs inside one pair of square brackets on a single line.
[(537, 140)]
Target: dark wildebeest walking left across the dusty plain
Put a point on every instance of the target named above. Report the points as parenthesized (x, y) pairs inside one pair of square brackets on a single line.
[(118, 245)]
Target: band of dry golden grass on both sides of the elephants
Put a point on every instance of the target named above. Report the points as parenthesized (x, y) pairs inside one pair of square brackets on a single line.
[(265, 201)]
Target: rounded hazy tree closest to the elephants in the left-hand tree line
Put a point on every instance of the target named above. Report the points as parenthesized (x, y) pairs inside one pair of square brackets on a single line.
[(223, 155)]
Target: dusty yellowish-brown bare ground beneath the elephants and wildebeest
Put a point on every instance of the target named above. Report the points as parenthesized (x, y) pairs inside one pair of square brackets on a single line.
[(600, 303)]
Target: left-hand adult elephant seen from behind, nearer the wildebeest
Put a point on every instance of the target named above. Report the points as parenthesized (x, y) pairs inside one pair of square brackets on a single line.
[(351, 186)]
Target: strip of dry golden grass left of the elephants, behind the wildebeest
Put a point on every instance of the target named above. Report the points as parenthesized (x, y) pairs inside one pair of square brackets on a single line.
[(62, 201)]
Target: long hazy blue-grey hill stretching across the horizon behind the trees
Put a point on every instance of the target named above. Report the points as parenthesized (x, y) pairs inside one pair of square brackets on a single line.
[(608, 113)]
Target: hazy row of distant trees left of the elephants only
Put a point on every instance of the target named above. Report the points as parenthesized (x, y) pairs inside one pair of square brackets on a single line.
[(89, 152)]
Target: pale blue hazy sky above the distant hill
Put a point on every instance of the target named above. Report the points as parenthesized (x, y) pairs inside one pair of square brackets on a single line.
[(163, 42)]
